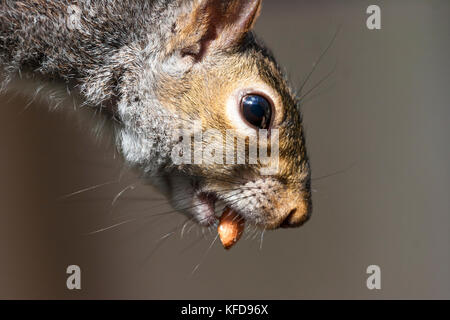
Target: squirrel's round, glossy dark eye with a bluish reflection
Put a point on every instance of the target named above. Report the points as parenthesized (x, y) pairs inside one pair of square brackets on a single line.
[(257, 111)]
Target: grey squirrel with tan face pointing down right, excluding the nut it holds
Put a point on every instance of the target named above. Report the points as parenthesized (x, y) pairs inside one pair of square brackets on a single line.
[(154, 66)]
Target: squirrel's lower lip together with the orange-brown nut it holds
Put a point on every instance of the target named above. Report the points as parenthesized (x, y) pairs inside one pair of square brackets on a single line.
[(230, 225)]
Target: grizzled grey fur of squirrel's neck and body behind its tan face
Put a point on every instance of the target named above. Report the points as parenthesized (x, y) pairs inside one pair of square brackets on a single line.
[(105, 50)]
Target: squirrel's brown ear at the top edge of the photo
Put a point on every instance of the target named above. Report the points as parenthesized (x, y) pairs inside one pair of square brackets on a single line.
[(214, 24)]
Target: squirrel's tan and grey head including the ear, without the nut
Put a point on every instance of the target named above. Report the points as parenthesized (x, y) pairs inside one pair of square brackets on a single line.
[(211, 76)]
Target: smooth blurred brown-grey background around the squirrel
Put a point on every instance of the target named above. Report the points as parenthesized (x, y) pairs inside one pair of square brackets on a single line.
[(381, 120)]
